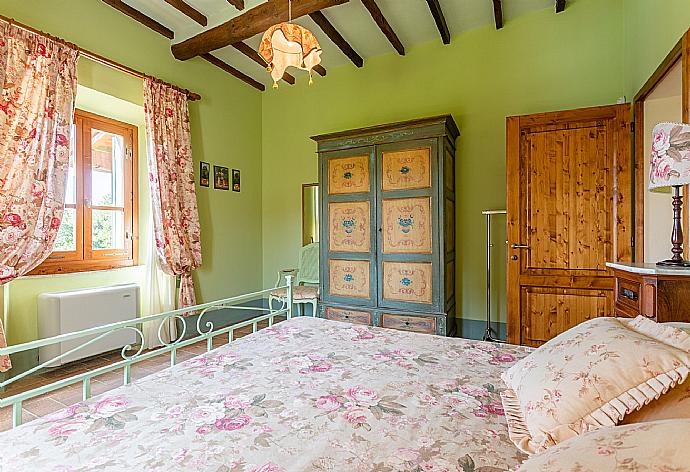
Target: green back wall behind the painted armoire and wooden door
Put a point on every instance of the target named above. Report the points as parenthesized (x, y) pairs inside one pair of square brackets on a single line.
[(537, 62)]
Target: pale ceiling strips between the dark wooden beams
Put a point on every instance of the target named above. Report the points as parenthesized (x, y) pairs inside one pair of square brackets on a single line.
[(410, 19)]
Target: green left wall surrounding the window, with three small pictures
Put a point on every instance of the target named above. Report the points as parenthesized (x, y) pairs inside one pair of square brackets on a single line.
[(226, 130)]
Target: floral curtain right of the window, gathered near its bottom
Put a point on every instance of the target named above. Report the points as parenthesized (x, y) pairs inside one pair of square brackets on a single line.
[(173, 194)]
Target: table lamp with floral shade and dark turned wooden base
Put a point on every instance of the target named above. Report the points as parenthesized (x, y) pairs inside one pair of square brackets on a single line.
[(670, 167)]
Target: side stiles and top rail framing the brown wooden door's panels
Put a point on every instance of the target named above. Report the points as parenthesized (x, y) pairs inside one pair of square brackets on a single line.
[(622, 193)]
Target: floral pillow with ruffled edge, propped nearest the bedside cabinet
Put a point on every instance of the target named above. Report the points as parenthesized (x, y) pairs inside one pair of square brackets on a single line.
[(591, 376)]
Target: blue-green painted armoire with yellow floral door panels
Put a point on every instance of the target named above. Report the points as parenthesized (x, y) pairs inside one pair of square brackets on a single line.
[(387, 196)]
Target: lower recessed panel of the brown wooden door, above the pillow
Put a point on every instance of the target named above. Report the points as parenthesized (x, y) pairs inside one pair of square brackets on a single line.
[(547, 312)]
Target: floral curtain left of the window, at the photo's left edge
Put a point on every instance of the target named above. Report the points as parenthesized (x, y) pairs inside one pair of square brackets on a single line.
[(39, 82)]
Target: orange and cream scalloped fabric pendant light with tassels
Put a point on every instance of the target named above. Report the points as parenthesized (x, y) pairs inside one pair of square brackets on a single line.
[(289, 45)]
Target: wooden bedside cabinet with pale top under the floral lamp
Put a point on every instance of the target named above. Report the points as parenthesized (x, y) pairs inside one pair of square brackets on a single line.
[(659, 294)]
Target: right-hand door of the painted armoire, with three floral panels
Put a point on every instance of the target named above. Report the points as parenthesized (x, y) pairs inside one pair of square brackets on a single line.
[(407, 219)]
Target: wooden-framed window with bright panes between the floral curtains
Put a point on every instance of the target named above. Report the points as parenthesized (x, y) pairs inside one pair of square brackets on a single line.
[(99, 225)]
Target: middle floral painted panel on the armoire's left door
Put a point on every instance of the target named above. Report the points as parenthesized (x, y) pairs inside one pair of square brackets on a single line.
[(349, 226)]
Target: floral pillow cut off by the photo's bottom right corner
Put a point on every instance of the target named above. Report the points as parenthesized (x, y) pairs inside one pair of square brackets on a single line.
[(653, 447)]
